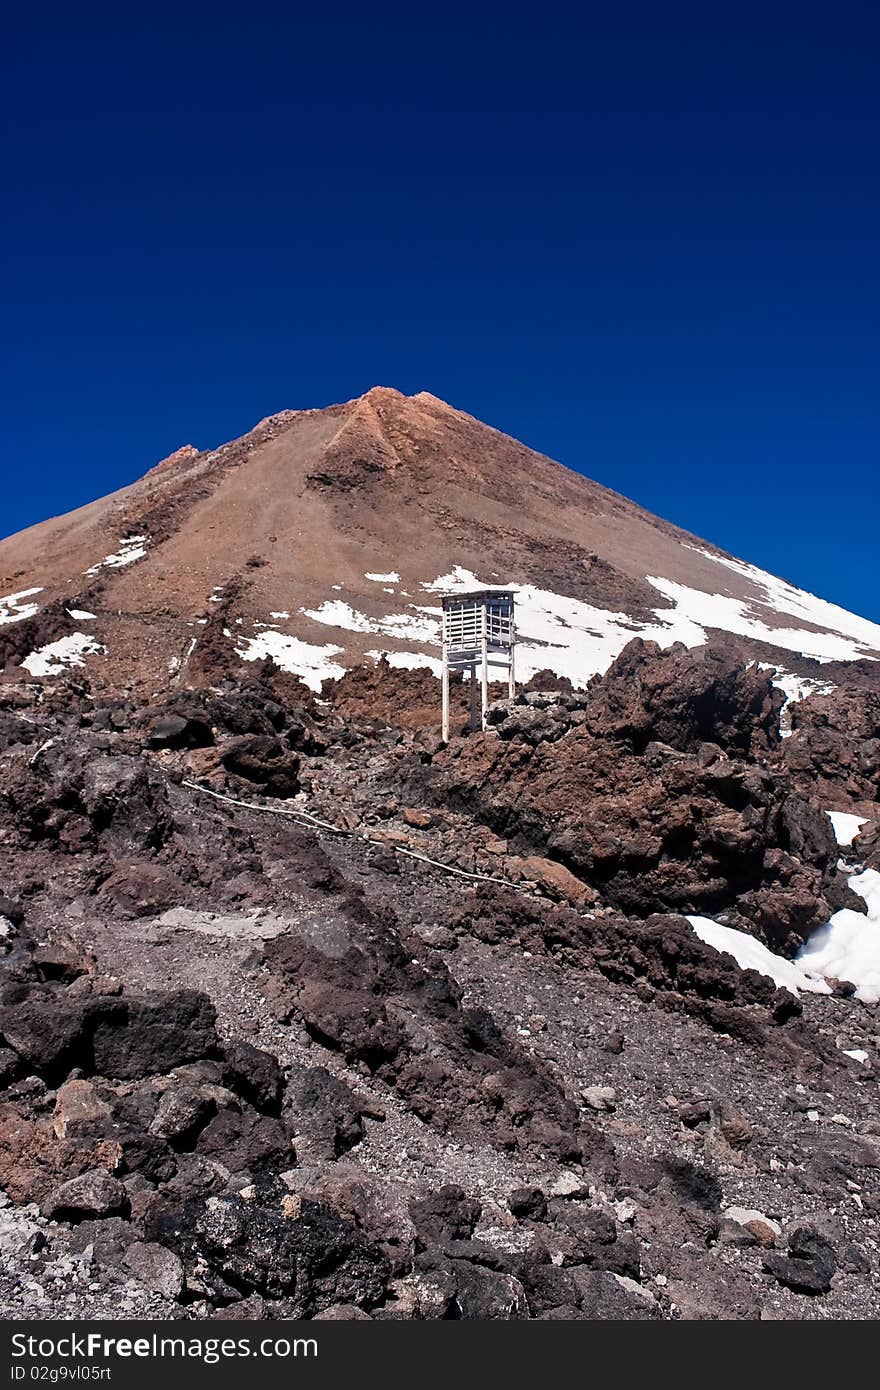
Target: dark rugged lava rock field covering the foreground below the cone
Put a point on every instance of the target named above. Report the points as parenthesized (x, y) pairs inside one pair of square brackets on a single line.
[(479, 1022)]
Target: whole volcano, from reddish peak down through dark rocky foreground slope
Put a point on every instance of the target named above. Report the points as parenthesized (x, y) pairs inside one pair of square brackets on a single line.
[(311, 1013)]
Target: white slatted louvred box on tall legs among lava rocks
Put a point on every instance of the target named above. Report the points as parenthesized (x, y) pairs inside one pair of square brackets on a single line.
[(479, 632)]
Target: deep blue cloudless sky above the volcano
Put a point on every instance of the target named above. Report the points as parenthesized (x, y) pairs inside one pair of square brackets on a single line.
[(642, 238)]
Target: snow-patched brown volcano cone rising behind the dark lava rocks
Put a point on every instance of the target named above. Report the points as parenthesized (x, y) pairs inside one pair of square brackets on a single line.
[(323, 539)]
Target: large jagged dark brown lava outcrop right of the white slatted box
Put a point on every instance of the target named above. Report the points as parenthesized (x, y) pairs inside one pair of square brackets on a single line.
[(624, 790)]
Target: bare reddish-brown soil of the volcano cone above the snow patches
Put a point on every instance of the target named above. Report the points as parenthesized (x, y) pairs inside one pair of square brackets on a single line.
[(298, 511)]
